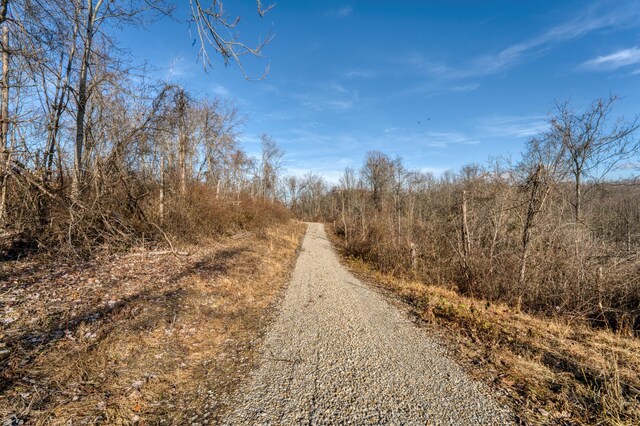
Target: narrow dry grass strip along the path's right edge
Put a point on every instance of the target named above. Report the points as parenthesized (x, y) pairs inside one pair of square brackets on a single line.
[(551, 371)]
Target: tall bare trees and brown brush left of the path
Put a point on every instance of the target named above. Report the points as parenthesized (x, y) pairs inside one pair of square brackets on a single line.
[(95, 155)]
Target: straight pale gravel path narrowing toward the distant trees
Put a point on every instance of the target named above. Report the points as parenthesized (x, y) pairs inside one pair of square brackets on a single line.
[(338, 353)]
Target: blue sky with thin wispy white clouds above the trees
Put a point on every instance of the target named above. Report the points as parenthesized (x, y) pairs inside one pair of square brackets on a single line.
[(439, 83)]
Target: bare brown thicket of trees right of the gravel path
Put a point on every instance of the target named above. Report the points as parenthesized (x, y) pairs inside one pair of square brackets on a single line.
[(554, 233)]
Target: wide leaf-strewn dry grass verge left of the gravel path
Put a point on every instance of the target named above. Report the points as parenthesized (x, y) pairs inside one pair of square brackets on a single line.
[(149, 340)]
